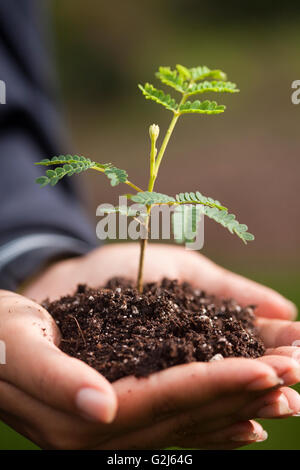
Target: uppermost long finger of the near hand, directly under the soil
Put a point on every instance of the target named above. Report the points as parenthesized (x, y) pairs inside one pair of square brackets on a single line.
[(188, 386)]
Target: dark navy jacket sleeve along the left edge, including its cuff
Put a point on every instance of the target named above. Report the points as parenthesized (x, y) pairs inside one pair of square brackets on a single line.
[(36, 224)]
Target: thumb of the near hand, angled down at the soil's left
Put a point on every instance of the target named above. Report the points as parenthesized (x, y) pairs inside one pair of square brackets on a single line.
[(60, 381)]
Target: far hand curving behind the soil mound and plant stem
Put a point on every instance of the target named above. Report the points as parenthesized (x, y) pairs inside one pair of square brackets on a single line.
[(174, 262)]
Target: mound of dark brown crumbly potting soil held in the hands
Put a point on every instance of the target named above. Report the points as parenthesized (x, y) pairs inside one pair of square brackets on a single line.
[(121, 332)]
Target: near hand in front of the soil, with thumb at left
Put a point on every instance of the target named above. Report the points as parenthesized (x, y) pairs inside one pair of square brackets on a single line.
[(61, 403)]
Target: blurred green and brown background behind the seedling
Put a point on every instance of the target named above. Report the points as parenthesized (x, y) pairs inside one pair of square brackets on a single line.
[(248, 158)]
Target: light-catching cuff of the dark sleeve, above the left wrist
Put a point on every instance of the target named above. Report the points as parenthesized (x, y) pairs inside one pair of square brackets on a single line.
[(22, 257)]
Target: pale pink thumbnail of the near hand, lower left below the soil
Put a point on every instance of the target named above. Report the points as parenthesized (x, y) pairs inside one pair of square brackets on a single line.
[(95, 405)]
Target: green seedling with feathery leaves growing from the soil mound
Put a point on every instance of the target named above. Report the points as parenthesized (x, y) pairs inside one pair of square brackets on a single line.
[(188, 82)]
